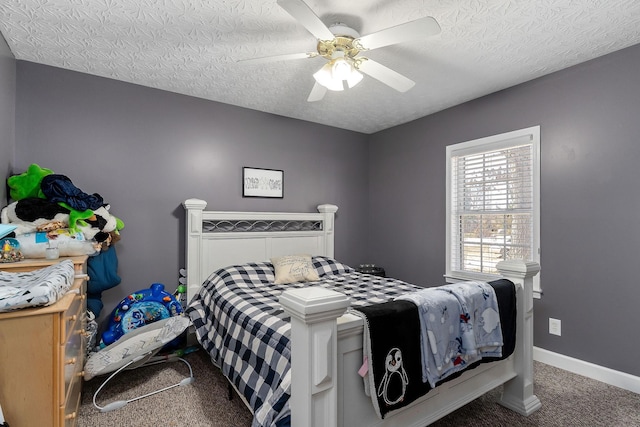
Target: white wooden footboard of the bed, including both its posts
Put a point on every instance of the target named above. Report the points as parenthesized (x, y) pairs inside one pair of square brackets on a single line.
[(326, 354)]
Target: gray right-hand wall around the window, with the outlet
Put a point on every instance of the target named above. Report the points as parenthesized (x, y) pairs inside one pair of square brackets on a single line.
[(590, 197)]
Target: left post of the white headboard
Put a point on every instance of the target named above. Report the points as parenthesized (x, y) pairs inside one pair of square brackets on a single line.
[(193, 233)]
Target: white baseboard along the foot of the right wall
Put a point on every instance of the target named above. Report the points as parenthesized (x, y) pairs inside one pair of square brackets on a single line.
[(587, 369)]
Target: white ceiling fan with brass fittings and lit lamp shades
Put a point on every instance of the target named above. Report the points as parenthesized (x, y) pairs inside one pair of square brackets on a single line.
[(342, 45)]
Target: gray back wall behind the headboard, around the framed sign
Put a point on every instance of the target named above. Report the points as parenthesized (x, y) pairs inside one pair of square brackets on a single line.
[(145, 151)]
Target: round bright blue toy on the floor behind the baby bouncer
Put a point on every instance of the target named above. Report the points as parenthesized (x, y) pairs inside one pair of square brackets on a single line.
[(139, 309)]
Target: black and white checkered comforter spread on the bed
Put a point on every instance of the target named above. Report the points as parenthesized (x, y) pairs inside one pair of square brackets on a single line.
[(239, 321)]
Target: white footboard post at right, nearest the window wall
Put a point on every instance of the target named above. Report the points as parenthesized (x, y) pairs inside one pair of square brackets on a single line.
[(517, 393)]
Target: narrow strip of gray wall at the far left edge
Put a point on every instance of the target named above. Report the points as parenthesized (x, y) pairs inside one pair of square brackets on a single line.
[(7, 114)]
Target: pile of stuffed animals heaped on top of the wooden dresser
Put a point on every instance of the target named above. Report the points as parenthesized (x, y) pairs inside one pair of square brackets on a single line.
[(49, 208)]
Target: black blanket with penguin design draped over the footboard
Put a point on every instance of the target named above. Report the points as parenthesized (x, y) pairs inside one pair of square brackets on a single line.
[(394, 348)]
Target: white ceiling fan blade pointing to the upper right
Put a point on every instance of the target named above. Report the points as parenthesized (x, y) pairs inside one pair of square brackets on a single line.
[(413, 30)]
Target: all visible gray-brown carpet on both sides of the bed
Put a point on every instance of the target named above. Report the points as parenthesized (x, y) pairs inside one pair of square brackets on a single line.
[(567, 400)]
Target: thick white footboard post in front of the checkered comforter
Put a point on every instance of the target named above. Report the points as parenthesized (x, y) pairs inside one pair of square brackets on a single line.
[(314, 346)]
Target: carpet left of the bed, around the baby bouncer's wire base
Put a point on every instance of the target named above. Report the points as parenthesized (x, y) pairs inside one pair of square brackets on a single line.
[(201, 403)]
